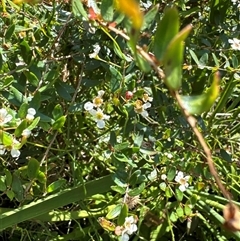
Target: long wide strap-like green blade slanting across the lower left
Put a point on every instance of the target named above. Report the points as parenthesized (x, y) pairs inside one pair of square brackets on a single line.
[(54, 201)]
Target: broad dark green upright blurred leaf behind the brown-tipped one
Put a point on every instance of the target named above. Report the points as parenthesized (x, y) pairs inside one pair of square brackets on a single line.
[(166, 30)]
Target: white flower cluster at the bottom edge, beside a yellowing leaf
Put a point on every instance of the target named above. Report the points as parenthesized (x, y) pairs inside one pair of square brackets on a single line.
[(128, 228)]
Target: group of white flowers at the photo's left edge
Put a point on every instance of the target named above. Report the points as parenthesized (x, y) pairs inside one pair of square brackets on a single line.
[(5, 118)]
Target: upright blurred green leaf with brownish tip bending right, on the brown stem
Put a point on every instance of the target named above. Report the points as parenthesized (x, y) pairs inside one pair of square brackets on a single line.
[(173, 58)]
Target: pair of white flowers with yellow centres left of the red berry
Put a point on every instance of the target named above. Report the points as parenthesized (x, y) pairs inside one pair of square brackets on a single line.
[(94, 109)]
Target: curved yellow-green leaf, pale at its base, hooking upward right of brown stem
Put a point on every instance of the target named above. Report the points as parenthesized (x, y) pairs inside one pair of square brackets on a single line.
[(197, 104)]
